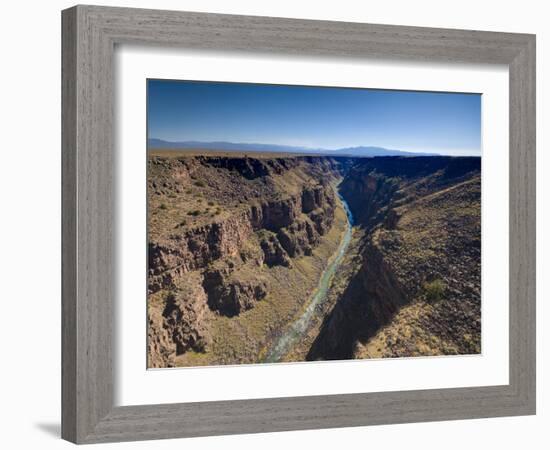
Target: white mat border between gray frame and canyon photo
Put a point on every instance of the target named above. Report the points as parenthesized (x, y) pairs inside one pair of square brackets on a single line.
[(136, 385)]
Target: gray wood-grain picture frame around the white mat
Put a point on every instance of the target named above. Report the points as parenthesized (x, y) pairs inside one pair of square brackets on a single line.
[(89, 36)]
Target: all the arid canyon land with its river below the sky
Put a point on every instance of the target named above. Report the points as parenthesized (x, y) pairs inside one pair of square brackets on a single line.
[(280, 257)]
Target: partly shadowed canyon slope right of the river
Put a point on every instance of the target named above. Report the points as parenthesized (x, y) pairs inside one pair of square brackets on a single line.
[(421, 218)]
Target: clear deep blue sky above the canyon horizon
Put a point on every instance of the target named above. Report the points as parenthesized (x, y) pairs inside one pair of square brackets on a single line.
[(318, 117)]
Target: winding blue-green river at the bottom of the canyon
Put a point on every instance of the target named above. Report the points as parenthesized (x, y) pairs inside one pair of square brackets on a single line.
[(299, 327)]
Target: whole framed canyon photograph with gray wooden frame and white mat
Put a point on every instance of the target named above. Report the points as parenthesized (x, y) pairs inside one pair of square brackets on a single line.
[(277, 224)]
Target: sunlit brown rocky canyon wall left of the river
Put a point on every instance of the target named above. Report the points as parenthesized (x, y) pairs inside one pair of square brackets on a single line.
[(217, 224)]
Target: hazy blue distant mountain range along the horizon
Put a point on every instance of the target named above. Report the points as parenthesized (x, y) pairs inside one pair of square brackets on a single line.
[(361, 151)]
